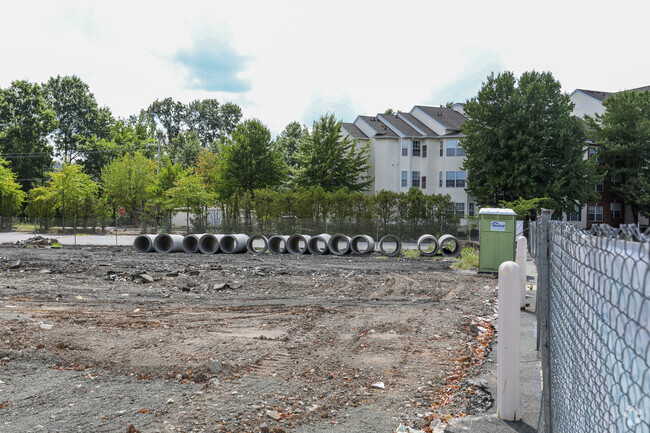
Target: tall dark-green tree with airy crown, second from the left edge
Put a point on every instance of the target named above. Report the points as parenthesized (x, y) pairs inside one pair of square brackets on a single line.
[(79, 118)]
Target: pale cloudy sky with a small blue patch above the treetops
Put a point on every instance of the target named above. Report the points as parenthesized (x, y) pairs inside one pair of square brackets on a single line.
[(284, 61)]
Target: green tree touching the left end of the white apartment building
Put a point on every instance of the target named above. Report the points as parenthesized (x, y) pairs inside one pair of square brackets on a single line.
[(330, 160)]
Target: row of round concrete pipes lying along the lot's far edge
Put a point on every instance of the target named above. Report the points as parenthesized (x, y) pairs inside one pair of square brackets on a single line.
[(337, 244)]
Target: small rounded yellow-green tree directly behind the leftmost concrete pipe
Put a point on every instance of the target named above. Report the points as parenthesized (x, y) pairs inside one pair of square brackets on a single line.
[(127, 182)]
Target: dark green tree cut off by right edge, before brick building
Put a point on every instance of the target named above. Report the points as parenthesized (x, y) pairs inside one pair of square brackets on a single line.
[(623, 134)]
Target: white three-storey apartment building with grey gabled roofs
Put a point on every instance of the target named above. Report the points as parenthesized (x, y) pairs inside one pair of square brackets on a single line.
[(417, 149)]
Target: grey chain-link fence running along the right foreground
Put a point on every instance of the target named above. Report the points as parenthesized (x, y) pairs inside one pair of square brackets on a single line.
[(593, 315)]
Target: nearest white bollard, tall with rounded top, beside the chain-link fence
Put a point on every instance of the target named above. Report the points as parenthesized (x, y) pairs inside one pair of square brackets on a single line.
[(508, 344)]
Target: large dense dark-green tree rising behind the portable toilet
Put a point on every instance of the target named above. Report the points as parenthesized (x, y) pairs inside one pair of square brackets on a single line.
[(522, 142)]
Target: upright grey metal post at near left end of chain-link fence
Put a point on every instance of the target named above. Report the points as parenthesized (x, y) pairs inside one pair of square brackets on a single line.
[(543, 318)]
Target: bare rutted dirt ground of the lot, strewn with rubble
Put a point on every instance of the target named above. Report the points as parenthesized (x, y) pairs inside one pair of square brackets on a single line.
[(102, 339)]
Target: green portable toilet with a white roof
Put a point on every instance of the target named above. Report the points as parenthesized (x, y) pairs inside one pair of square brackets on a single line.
[(497, 237)]
